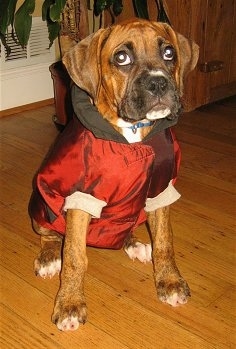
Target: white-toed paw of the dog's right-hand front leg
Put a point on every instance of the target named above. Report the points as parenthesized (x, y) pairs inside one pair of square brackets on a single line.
[(173, 292)]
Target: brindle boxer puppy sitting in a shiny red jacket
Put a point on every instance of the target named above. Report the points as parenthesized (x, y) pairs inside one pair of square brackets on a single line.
[(115, 164)]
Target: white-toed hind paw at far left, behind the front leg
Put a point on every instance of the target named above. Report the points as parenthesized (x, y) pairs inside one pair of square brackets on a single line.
[(47, 269)]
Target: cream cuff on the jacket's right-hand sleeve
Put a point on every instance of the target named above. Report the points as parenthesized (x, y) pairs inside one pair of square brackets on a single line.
[(165, 198)]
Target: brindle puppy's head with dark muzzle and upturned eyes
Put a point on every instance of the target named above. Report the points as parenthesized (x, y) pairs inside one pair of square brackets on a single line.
[(133, 70)]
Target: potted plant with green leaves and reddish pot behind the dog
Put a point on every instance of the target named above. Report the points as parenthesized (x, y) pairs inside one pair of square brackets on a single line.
[(67, 21)]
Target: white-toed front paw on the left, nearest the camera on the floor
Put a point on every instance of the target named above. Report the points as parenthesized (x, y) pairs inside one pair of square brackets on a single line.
[(69, 317)]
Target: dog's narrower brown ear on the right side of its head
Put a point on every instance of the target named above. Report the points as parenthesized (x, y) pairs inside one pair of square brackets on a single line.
[(188, 52)]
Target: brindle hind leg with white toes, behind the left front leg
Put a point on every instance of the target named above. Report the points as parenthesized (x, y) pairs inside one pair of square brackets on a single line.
[(48, 262)]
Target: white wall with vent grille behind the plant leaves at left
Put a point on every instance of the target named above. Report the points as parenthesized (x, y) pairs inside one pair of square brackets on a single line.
[(24, 74)]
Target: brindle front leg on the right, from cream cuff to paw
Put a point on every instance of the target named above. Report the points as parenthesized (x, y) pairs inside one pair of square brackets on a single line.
[(171, 287)]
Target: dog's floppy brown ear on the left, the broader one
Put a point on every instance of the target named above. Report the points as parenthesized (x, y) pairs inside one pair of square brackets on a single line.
[(83, 62)]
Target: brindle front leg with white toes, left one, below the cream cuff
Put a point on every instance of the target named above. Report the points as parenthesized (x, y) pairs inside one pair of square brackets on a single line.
[(70, 306)]
